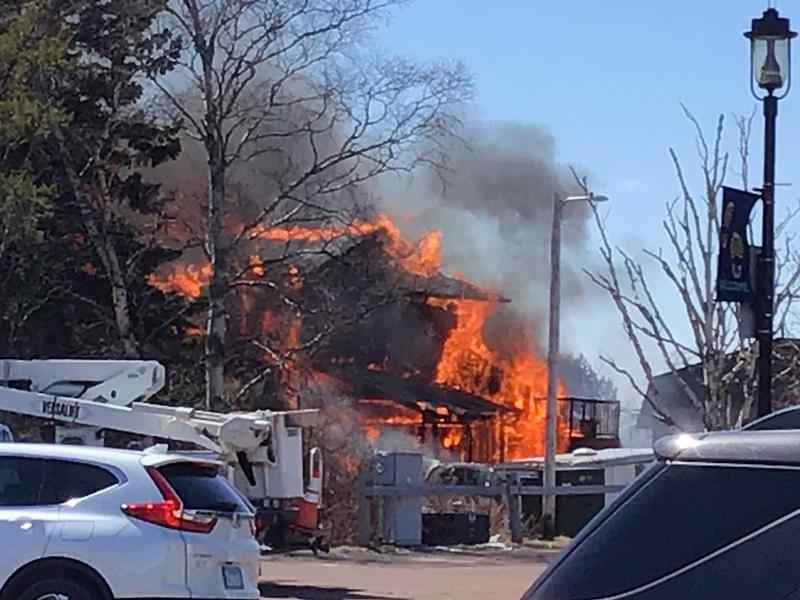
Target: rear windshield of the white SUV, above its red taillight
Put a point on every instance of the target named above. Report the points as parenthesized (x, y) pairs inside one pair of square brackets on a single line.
[(201, 487)]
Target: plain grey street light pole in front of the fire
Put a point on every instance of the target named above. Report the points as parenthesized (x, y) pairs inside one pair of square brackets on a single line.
[(548, 498)]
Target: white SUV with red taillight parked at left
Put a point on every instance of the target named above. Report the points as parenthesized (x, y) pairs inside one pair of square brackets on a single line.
[(82, 523)]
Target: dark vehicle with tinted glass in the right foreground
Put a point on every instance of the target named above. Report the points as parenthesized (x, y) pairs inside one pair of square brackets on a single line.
[(717, 516)]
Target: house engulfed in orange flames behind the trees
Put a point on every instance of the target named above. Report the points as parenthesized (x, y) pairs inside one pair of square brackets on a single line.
[(430, 360)]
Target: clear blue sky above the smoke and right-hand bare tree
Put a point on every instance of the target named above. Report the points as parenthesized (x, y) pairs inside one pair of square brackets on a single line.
[(606, 79)]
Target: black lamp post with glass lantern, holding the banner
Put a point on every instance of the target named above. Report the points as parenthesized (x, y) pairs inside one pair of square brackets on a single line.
[(770, 64)]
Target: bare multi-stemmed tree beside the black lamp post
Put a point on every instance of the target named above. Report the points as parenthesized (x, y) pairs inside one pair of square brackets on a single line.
[(714, 357)]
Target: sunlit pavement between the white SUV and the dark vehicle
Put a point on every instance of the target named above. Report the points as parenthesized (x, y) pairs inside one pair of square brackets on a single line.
[(415, 577)]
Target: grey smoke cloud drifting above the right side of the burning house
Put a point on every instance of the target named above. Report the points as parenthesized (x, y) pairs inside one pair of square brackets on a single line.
[(495, 210)]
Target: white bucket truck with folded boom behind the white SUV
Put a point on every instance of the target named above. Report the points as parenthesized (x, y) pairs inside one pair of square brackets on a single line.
[(263, 450)]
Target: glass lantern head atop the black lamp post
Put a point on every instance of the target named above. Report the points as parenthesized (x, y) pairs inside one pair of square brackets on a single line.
[(770, 54)]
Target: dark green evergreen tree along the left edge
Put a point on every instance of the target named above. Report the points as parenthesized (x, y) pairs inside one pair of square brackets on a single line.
[(78, 218)]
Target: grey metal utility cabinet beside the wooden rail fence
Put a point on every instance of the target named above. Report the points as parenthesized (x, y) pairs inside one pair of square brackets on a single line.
[(402, 515)]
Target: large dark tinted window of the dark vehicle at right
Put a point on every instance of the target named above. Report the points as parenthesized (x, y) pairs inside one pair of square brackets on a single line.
[(683, 514)]
